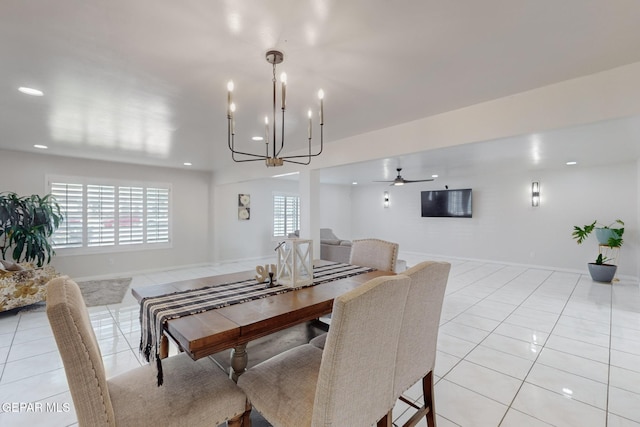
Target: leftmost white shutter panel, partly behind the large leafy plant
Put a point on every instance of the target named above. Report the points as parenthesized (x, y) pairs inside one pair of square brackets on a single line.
[(70, 199)]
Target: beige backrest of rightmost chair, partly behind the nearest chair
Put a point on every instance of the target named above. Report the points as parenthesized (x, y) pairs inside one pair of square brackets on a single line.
[(420, 323)]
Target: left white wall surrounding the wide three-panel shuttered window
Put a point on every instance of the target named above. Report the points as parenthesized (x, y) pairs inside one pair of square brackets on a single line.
[(24, 173)]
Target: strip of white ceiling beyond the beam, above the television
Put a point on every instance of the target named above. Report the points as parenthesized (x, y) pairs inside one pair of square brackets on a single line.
[(587, 145)]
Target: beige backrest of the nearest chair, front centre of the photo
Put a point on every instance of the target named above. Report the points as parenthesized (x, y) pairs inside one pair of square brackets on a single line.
[(355, 381)]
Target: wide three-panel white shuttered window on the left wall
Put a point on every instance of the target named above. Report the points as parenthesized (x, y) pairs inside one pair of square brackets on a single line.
[(110, 215)]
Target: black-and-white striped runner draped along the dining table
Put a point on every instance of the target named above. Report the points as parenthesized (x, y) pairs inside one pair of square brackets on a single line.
[(156, 311)]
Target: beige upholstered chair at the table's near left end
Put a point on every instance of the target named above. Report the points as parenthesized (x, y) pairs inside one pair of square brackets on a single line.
[(194, 393)]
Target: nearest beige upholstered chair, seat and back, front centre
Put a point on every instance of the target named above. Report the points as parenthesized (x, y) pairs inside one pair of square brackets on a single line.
[(305, 386)]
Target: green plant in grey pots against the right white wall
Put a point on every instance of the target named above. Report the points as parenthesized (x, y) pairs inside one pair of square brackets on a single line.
[(607, 235)]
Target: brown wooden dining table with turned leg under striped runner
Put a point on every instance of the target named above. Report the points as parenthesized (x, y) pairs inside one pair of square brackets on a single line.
[(232, 327)]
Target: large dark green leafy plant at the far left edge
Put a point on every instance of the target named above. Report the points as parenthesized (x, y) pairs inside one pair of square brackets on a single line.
[(26, 225)]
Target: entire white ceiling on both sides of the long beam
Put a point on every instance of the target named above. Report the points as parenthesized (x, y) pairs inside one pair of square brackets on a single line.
[(144, 82)]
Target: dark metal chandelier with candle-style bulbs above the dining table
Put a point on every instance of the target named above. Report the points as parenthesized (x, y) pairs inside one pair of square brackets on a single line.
[(273, 57)]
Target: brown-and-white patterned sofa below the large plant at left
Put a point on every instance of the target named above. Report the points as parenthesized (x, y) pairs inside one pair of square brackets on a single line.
[(24, 285)]
